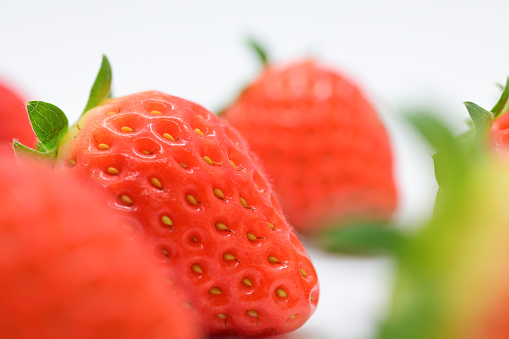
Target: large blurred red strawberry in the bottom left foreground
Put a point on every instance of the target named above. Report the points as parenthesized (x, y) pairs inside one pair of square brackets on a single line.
[(67, 272)]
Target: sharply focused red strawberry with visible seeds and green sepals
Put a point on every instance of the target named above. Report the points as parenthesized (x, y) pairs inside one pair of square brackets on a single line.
[(198, 198)]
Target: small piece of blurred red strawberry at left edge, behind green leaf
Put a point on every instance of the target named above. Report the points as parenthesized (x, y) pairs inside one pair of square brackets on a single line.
[(14, 120)]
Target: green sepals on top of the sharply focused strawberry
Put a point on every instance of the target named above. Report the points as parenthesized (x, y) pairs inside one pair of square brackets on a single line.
[(50, 124)]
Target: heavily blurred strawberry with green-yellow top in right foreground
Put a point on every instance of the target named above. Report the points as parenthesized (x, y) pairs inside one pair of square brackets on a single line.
[(451, 273)]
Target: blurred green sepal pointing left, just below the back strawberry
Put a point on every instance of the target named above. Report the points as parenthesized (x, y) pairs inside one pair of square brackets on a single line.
[(368, 238)]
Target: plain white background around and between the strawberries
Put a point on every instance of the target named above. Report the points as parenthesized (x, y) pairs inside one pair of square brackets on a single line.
[(403, 53)]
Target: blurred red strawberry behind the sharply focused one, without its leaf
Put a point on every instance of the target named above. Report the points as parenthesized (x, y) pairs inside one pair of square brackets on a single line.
[(321, 142)]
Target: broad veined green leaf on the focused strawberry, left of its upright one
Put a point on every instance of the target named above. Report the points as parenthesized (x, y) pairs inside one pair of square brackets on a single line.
[(49, 124)]
